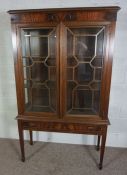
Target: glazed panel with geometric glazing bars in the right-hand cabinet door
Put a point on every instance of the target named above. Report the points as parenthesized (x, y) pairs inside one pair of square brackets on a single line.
[(84, 69)]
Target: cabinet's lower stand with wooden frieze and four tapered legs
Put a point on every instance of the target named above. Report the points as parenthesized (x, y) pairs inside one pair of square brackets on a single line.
[(79, 128)]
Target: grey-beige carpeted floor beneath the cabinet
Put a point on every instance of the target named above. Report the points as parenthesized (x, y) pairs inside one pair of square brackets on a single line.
[(59, 159)]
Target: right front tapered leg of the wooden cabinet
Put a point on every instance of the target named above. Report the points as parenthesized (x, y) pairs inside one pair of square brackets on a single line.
[(103, 140)]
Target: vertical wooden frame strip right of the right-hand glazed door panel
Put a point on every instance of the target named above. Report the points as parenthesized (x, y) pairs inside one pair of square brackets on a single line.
[(105, 94)]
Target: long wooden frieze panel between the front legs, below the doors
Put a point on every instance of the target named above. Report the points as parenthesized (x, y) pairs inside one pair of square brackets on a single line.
[(63, 127)]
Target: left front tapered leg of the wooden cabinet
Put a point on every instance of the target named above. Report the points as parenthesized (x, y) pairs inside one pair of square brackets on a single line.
[(21, 139)]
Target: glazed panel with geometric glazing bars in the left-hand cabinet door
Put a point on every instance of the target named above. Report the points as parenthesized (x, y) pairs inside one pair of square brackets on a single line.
[(39, 65)]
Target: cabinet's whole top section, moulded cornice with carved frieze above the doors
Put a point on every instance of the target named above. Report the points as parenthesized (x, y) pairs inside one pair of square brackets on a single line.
[(55, 15)]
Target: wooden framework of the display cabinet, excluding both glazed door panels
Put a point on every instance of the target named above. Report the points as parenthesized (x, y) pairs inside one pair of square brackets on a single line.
[(60, 121)]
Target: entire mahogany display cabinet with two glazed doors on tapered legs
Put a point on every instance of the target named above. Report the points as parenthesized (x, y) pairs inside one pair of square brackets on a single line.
[(63, 63)]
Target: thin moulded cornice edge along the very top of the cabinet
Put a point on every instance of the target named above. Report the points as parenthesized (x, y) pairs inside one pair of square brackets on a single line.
[(105, 8)]
